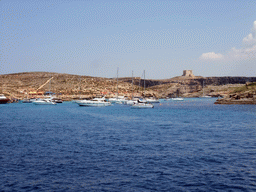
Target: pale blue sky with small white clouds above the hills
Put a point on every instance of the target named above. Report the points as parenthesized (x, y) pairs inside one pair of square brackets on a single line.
[(94, 37)]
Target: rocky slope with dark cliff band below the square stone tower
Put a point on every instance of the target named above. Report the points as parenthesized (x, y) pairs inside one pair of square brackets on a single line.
[(197, 86)]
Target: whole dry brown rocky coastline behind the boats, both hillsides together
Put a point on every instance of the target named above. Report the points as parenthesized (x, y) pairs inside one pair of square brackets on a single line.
[(69, 87)]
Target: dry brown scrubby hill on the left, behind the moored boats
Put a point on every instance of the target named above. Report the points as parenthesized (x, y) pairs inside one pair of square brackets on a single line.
[(65, 86)]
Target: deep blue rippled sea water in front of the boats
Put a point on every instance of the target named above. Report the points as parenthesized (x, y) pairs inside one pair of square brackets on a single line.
[(190, 145)]
